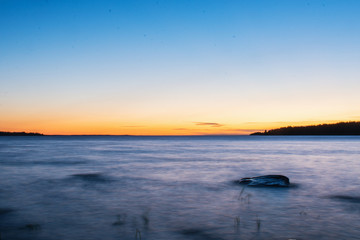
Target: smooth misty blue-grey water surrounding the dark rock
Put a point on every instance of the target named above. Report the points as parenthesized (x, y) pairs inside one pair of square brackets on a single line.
[(178, 188)]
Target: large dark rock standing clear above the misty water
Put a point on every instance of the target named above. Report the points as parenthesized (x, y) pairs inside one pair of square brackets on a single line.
[(266, 181)]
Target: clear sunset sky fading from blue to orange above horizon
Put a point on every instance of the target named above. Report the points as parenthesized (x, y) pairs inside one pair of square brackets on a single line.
[(177, 67)]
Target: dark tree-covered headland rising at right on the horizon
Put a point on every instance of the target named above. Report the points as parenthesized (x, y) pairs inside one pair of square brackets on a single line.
[(341, 128)]
